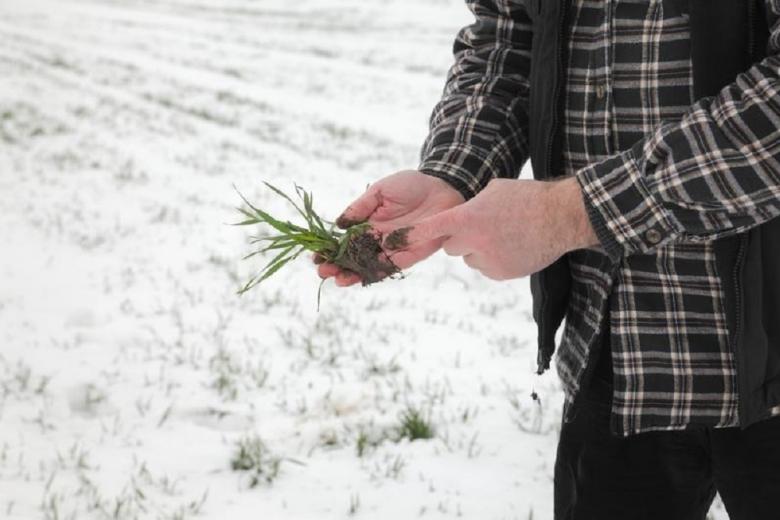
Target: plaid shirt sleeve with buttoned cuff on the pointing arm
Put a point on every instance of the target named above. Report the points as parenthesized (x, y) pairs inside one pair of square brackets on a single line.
[(713, 173)]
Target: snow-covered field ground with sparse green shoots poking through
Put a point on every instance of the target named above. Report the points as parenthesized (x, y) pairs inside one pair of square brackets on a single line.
[(129, 369)]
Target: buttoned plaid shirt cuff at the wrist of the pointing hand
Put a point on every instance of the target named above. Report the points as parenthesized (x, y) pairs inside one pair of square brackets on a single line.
[(622, 209)]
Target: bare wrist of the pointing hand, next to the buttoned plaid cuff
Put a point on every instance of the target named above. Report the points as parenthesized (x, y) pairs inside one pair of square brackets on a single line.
[(576, 228)]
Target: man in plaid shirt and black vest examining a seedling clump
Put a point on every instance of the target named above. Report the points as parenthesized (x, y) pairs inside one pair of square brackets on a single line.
[(654, 231)]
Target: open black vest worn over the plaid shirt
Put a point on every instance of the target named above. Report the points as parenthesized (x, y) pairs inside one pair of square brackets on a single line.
[(727, 37)]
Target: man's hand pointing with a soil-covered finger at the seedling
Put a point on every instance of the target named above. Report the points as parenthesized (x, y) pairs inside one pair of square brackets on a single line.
[(511, 229)]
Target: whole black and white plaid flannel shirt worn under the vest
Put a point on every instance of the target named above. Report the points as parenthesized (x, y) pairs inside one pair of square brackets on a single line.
[(662, 177)]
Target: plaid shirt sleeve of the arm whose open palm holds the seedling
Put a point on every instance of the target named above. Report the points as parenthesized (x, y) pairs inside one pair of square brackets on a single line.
[(479, 128)]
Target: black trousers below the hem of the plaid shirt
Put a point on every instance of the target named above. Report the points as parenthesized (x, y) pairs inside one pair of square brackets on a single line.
[(669, 475)]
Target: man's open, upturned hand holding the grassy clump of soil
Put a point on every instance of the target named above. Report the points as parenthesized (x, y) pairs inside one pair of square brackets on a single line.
[(395, 201)]
